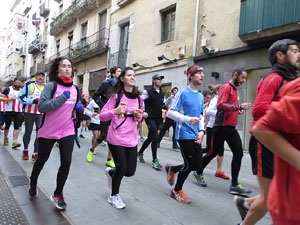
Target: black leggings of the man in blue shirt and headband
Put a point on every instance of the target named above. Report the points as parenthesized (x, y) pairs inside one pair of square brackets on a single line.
[(192, 156)]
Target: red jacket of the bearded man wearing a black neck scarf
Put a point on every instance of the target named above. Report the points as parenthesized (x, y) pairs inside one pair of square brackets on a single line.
[(266, 92)]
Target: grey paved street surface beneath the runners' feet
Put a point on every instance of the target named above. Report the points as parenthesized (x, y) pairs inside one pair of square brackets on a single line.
[(146, 194)]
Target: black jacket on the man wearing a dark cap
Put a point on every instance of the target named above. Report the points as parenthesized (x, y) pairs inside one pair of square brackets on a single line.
[(153, 105)]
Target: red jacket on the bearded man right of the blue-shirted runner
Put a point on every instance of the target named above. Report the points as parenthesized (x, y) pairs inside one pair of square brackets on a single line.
[(228, 106)]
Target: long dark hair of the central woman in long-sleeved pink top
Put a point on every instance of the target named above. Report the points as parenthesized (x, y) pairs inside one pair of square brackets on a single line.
[(118, 88)]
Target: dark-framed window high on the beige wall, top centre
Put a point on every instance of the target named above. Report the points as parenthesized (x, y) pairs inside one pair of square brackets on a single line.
[(168, 24)]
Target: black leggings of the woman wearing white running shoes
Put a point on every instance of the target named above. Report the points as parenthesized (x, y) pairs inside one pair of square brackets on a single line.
[(125, 159)]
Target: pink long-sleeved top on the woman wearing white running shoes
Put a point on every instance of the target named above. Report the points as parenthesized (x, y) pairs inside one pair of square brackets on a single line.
[(126, 134)]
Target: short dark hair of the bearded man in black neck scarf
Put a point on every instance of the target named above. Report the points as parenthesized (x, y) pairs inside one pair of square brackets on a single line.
[(280, 45)]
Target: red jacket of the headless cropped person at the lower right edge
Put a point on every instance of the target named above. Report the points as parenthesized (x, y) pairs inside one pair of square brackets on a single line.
[(284, 117)]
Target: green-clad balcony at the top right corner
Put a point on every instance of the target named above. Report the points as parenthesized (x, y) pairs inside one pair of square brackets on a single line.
[(262, 20)]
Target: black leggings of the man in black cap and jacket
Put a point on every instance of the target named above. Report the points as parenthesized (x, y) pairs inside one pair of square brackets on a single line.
[(153, 125)]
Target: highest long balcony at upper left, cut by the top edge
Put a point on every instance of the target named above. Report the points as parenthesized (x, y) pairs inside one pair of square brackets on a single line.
[(77, 10)]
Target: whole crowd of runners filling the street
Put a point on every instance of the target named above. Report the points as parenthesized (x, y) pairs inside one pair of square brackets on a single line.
[(117, 110)]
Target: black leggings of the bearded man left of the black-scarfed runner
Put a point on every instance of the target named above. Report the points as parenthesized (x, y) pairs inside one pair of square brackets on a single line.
[(232, 137)]
